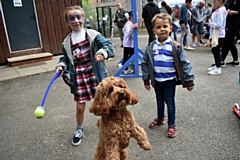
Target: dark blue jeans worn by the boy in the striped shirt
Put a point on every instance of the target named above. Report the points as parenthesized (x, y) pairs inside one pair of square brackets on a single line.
[(165, 93)]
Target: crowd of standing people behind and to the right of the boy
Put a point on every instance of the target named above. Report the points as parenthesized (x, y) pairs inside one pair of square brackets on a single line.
[(220, 22)]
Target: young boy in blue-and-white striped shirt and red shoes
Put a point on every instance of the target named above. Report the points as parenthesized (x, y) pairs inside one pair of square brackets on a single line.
[(162, 64)]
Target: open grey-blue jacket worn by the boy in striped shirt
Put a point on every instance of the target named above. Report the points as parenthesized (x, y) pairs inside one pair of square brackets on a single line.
[(186, 71)]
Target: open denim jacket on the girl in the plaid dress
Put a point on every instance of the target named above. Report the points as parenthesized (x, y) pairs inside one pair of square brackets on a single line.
[(98, 45)]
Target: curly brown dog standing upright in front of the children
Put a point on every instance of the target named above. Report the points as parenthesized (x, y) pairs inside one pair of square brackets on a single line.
[(117, 124)]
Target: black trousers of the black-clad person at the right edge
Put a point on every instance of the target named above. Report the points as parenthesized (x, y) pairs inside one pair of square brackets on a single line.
[(229, 45)]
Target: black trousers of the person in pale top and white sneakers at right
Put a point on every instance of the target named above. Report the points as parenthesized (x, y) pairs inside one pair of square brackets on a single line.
[(216, 51)]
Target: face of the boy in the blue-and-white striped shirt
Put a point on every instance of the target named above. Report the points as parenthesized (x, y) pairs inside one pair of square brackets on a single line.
[(162, 28)]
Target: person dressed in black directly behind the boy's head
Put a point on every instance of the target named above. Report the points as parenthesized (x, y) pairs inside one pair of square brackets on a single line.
[(149, 11)]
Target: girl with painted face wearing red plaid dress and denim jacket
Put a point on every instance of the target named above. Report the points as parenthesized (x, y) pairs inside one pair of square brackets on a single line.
[(84, 52)]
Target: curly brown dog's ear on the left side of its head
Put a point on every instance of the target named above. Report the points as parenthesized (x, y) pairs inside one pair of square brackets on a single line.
[(99, 106)]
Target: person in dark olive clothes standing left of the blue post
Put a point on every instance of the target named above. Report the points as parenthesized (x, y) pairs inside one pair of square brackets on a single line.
[(120, 20)]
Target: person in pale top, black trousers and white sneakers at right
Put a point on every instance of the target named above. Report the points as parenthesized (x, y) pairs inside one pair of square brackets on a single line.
[(217, 22)]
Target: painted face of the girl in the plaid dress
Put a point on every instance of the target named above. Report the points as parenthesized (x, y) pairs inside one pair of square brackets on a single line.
[(75, 19)]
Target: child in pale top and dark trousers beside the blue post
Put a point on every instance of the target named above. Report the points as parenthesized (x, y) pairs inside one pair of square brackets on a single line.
[(128, 40)]
